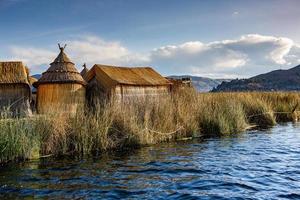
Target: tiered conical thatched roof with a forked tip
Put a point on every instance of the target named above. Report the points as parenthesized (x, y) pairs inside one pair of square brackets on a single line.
[(61, 70)]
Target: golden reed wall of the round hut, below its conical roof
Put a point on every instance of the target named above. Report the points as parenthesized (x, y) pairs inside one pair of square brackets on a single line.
[(60, 98)]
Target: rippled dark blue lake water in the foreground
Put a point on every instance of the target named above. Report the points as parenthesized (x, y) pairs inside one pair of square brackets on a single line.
[(253, 165)]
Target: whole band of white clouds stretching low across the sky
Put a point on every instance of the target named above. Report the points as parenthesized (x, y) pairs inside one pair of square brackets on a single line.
[(248, 55)]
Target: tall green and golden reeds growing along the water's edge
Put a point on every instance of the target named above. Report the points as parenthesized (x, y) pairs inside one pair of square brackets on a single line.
[(143, 122)]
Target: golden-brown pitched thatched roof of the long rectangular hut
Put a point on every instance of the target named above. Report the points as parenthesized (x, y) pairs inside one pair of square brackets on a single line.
[(142, 76)]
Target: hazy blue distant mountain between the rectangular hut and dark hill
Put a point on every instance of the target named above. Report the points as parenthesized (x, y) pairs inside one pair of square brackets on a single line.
[(202, 84)]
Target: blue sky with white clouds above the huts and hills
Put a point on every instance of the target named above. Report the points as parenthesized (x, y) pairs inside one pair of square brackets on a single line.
[(211, 38)]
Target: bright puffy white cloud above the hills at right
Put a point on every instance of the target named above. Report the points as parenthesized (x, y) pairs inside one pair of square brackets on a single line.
[(250, 54)]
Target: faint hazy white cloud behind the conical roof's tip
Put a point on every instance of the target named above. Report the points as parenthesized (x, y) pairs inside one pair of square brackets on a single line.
[(87, 49)]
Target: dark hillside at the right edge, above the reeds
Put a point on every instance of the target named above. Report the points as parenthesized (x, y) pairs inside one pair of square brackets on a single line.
[(278, 80)]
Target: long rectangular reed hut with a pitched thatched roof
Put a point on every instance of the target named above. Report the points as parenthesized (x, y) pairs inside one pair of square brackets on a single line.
[(125, 83)]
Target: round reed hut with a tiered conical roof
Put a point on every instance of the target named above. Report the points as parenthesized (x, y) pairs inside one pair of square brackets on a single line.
[(61, 89)]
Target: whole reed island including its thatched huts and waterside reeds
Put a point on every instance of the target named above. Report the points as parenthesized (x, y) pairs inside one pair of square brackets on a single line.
[(109, 107)]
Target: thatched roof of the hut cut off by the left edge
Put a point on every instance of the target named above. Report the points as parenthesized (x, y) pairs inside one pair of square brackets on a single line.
[(13, 72)]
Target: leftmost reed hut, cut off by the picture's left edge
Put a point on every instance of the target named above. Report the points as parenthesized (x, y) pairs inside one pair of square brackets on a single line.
[(15, 92)]
